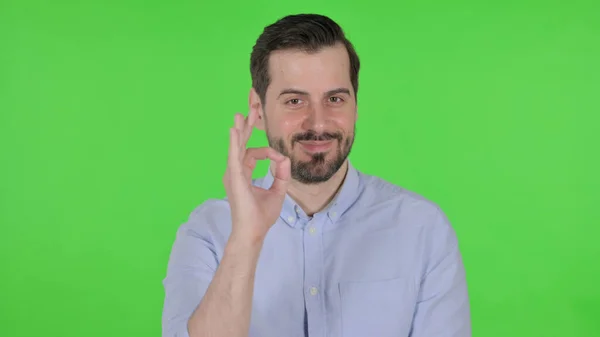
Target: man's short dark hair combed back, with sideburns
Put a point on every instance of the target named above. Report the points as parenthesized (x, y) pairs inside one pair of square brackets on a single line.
[(307, 32)]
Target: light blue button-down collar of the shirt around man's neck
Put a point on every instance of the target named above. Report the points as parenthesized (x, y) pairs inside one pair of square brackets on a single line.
[(292, 213)]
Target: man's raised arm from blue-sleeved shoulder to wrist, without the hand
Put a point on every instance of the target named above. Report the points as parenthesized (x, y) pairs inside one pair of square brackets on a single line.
[(202, 296)]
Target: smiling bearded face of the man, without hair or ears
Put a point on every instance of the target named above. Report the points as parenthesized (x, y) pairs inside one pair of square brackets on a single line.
[(310, 111)]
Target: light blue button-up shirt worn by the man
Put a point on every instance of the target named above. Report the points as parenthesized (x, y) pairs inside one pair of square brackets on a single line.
[(379, 261)]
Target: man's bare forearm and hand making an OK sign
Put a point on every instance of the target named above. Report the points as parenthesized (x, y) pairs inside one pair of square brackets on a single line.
[(226, 307)]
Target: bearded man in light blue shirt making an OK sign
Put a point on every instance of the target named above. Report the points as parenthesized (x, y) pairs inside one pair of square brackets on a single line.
[(315, 248)]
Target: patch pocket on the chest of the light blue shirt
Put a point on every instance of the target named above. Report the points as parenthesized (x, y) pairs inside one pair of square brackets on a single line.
[(377, 308)]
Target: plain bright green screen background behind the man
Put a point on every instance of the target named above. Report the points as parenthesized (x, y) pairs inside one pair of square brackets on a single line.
[(114, 120)]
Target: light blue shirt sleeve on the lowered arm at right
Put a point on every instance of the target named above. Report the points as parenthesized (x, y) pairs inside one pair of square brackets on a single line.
[(443, 308)]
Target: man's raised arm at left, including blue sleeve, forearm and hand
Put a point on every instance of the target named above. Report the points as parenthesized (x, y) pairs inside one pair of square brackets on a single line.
[(203, 299)]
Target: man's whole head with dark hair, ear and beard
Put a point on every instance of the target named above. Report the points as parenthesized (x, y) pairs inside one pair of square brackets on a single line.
[(304, 84)]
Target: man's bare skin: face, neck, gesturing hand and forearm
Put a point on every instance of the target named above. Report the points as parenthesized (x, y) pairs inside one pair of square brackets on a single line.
[(310, 98)]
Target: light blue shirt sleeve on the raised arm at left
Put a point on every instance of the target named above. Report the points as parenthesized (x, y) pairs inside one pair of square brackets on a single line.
[(192, 264)]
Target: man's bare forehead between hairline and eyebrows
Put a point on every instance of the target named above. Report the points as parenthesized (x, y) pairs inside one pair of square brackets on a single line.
[(315, 72)]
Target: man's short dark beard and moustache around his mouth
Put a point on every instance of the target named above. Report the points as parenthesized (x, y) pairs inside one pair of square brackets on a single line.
[(318, 168)]
